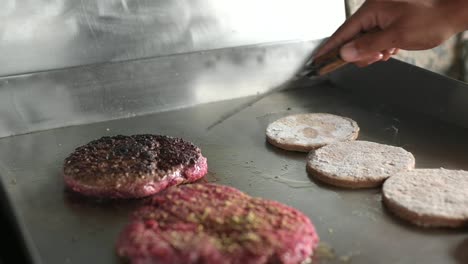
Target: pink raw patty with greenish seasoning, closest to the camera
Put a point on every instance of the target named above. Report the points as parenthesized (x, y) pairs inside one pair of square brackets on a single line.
[(209, 223)]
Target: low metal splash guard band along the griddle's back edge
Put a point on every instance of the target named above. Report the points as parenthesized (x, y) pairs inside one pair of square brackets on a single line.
[(80, 95)]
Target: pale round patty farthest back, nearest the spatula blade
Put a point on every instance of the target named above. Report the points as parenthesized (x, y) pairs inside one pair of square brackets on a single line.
[(305, 132)]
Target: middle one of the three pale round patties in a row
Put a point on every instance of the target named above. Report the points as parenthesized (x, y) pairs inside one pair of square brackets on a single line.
[(358, 164)]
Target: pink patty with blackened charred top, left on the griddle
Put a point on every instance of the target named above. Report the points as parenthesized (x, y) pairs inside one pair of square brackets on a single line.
[(132, 166)]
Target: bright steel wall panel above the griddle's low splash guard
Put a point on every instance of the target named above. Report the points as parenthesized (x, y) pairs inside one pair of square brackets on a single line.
[(39, 35)]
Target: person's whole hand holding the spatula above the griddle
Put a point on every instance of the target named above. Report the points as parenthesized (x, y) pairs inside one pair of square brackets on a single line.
[(400, 24)]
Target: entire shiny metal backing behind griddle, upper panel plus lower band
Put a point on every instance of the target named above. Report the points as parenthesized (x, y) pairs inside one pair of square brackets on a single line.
[(117, 47)]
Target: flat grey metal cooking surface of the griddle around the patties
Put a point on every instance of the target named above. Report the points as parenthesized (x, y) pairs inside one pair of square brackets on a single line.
[(65, 228)]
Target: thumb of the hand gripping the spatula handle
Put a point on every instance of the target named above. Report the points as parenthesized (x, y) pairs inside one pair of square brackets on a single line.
[(368, 45)]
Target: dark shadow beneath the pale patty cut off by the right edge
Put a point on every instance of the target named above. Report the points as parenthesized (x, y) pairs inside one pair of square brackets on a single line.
[(423, 230)]
